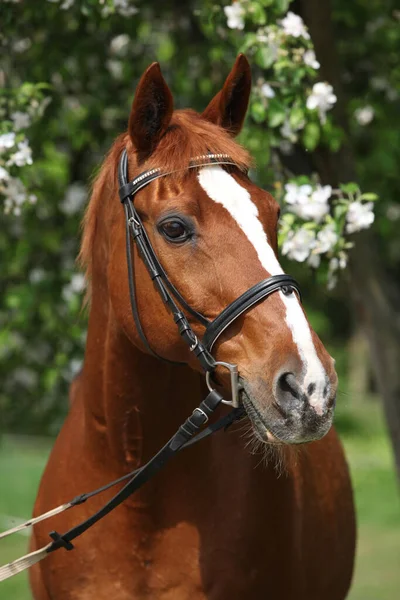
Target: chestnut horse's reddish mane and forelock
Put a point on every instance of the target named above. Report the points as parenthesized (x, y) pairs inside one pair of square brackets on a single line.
[(188, 136)]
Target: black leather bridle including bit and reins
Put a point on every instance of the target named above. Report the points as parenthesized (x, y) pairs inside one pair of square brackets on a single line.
[(189, 432)]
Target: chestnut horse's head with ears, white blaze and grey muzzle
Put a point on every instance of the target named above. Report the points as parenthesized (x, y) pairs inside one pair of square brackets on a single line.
[(215, 233)]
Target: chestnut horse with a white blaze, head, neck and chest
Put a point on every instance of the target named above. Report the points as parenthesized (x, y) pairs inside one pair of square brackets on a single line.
[(215, 524)]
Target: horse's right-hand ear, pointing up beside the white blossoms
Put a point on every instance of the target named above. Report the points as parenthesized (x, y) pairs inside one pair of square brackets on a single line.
[(228, 108)]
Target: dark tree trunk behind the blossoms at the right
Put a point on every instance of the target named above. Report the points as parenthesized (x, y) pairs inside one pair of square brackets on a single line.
[(375, 295)]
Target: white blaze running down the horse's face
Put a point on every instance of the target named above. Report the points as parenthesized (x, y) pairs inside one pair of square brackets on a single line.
[(224, 189)]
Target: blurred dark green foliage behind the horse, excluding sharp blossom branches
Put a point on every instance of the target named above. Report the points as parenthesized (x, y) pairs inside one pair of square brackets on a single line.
[(92, 65)]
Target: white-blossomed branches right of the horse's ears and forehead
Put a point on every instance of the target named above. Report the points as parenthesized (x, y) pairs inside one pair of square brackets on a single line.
[(290, 106)]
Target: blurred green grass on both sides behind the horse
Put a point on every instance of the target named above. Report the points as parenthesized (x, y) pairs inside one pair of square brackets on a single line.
[(377, 575)]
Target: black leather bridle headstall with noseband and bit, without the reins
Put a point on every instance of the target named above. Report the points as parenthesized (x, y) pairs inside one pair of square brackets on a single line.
[(168, 292)]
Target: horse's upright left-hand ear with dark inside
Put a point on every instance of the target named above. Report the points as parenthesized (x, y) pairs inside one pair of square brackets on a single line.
[(151, 111)]
